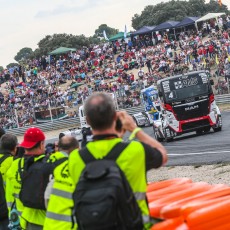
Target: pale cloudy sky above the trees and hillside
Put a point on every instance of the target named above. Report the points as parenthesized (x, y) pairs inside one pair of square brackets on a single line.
[(25, 22)]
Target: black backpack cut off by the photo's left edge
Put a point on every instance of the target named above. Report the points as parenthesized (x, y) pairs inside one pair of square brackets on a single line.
[(3, 206)]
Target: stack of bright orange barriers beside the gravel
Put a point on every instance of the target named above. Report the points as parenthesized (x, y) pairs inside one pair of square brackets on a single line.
[(186, 205)]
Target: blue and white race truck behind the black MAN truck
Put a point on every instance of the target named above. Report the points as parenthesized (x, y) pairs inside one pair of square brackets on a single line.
[(150, 100)]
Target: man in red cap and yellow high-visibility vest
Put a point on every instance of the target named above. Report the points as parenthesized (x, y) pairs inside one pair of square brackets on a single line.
[(34, 144)]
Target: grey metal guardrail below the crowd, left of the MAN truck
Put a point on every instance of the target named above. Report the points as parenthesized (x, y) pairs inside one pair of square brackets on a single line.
[(63, 124)]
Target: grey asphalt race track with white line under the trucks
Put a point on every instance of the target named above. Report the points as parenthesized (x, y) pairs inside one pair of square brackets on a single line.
[(193, 149)]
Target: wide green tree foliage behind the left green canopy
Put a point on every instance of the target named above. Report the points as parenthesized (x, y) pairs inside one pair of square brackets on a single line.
[(52, 42)]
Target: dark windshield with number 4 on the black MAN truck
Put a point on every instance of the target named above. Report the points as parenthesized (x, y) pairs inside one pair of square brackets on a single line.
[(181, 88)]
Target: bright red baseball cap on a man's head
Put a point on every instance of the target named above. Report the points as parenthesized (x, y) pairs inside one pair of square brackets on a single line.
[(32, 136)]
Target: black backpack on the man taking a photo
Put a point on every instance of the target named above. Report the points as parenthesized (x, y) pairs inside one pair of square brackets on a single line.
[(103, 199)]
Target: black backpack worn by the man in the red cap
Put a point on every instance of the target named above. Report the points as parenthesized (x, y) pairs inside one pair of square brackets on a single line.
[(35, 177)]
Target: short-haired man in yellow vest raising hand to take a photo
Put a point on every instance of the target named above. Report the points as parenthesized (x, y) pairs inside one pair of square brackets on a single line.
[(135, 159)]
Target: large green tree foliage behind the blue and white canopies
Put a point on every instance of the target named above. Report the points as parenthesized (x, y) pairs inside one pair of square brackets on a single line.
[(175, 10)]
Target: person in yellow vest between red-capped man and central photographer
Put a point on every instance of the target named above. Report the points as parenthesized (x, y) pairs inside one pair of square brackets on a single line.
[(59, 191)]
